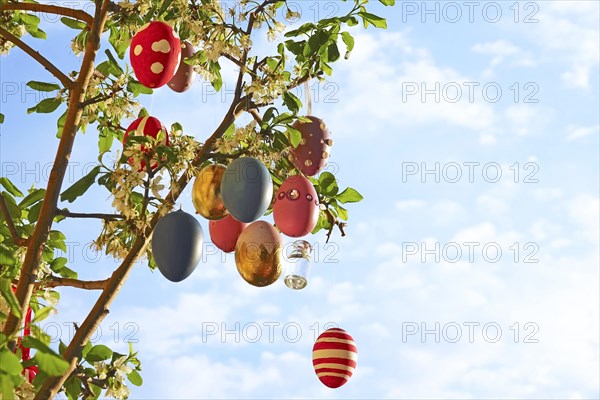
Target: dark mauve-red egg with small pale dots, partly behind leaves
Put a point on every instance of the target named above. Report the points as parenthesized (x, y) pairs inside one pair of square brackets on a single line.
[(315, 147)]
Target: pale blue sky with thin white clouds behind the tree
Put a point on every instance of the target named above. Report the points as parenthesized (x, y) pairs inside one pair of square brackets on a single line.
[(379, 283)]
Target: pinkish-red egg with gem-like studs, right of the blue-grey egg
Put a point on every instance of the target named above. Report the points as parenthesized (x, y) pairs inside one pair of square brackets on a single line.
[(296, 208)]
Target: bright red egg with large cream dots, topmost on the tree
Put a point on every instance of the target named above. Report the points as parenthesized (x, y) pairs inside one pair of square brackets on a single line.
[(155, 54)]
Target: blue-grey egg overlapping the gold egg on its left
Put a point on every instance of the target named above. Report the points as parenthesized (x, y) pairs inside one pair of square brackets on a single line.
[(247, 189)]
